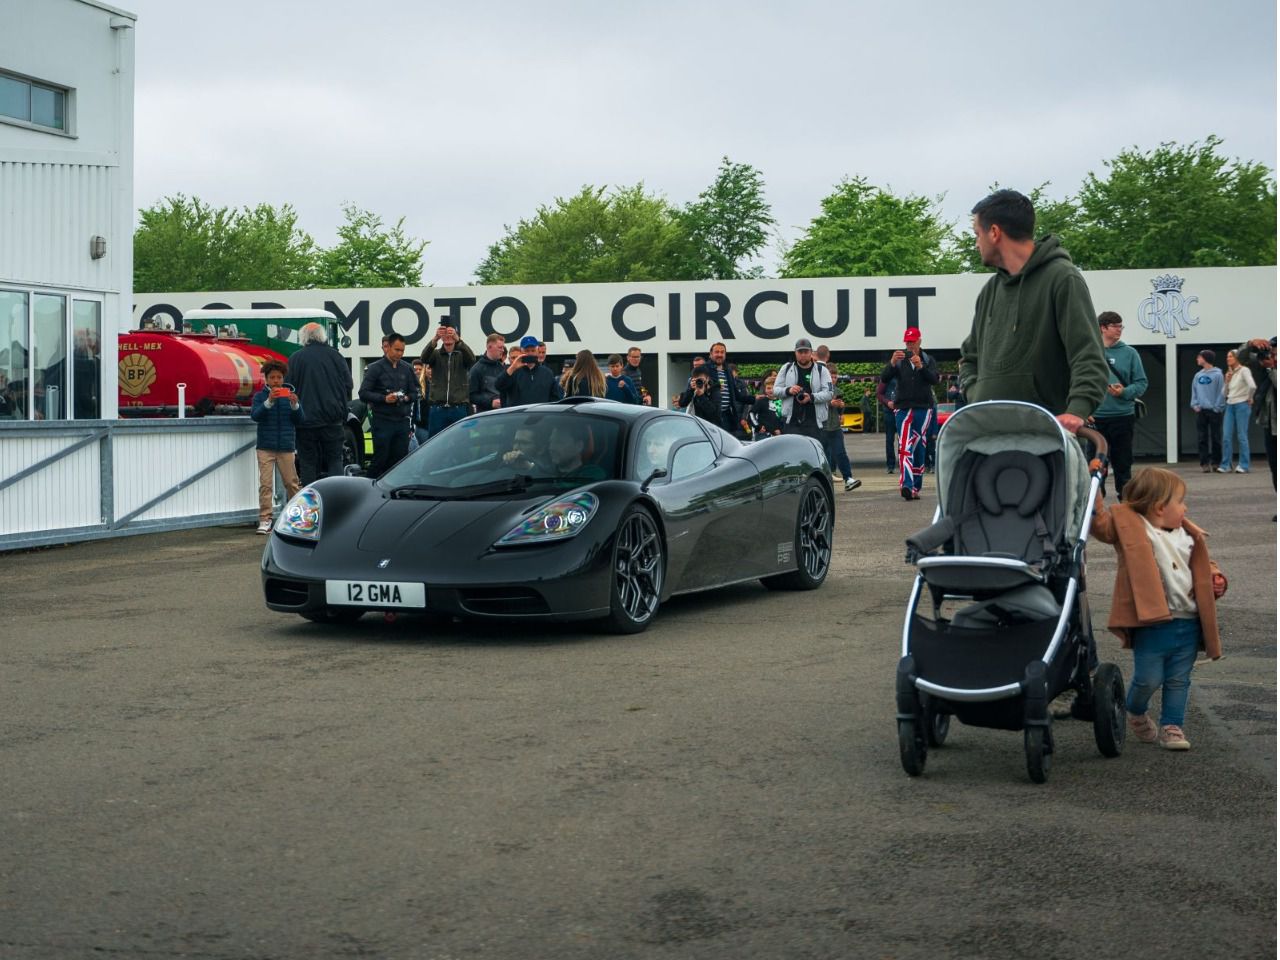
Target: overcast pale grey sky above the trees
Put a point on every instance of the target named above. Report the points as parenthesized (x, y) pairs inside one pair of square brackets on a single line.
[(463, 118)]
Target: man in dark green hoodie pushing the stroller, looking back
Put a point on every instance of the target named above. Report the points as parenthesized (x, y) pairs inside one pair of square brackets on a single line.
[(1035, 332)]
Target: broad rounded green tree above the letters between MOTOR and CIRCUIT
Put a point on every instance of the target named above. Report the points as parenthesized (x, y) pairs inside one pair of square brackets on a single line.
[(592, 237)]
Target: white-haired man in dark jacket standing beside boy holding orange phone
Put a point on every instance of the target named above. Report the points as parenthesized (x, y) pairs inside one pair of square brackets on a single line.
[(322, 380)]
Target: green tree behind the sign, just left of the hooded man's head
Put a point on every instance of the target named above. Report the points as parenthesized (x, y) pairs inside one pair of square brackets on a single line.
[(865, 231)]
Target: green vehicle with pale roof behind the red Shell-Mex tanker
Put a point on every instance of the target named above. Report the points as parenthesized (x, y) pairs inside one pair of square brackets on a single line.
[(280, 330)]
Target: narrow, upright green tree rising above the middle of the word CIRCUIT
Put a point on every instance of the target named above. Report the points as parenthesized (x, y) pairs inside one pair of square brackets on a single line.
[(726, 226)]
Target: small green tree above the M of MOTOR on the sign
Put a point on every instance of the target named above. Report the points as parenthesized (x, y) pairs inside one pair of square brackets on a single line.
[(371, 255)]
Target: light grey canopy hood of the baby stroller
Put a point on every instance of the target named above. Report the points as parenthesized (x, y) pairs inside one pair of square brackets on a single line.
[(994, 427)]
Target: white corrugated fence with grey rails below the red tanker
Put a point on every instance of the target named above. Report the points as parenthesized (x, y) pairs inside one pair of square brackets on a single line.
[(92, 479)]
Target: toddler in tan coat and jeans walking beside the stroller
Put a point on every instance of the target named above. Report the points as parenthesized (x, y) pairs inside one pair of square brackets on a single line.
[(1163, 606)]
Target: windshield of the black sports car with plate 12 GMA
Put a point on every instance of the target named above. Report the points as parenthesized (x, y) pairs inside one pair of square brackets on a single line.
[(509, 454)]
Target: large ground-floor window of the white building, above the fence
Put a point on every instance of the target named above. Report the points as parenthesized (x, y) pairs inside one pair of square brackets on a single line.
[(40, 378)]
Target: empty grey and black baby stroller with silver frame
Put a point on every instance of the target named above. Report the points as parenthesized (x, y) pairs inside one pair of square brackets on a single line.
[(1004, 569)]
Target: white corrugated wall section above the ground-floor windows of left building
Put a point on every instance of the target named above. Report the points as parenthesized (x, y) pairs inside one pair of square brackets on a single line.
[(48, 214)]
